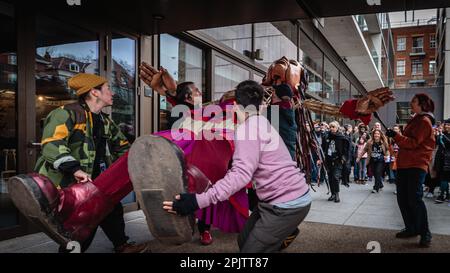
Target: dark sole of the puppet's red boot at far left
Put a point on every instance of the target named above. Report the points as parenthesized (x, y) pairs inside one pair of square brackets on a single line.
[(29, 200)]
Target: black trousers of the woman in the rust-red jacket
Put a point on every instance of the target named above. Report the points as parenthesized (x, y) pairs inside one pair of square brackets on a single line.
[(409, 198)]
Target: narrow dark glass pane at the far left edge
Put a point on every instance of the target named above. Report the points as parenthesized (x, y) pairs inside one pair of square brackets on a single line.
[(8, 114)]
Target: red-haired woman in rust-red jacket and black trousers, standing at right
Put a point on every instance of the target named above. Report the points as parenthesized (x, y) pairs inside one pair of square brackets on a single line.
[(416, 148)]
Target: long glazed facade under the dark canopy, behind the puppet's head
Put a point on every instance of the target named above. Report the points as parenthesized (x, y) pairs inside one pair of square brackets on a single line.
[(271, 41)]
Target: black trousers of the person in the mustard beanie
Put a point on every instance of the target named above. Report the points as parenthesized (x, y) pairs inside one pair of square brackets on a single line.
[(113, 226)]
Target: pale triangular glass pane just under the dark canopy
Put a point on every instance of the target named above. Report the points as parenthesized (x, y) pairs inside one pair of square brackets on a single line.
[(237, 37)]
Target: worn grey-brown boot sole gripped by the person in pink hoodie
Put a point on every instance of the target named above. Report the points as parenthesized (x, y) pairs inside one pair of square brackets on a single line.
[(157, 171)]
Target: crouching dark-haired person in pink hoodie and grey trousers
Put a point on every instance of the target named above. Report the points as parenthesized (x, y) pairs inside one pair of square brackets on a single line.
[(262, 157)]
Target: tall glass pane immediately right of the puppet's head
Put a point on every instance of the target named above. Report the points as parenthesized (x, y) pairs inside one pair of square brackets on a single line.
[(312, 58)]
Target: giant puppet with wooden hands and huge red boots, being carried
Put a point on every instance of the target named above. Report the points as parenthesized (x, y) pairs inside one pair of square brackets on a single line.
[(164, 164)]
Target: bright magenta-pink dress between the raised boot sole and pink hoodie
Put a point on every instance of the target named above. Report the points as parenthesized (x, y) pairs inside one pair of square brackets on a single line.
[(213, 158)]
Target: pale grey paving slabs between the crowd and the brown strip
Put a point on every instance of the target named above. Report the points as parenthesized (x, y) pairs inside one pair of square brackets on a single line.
[(361, 208)]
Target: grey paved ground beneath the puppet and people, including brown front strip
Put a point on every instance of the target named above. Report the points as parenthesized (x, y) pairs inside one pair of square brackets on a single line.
[(348, 226)]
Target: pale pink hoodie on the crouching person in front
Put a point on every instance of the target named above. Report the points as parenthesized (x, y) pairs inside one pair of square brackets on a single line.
[(260, 156)]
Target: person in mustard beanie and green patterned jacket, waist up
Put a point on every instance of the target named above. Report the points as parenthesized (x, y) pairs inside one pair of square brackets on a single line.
[(69, 146)]
